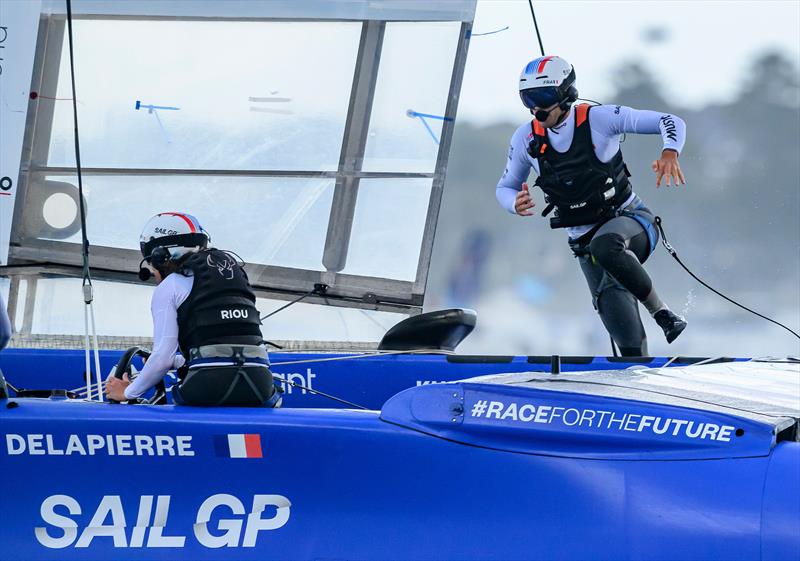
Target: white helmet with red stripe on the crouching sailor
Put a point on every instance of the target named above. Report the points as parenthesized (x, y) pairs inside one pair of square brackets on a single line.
[(177, 233)]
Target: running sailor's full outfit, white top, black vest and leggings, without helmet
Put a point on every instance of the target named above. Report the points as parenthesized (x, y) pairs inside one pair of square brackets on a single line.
[(610, 230)]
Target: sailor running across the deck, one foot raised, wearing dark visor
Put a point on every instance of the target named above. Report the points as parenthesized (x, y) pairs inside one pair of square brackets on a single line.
[(576, 154)]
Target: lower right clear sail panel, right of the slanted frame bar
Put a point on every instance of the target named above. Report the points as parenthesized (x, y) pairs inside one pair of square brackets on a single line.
[(388, 226)]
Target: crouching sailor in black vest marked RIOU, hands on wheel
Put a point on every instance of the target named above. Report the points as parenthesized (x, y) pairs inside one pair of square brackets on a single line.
[(204, 307)]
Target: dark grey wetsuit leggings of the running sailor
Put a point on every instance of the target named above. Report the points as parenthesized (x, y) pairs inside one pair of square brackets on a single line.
[(616, 278)]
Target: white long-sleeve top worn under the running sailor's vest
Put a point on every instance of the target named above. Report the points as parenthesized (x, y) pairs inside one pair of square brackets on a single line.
[(608, 123)]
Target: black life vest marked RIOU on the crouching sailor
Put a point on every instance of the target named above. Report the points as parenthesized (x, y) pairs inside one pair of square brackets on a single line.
[(221, 306)]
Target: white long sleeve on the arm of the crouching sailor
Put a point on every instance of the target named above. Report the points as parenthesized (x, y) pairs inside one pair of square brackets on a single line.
[(167, 297)]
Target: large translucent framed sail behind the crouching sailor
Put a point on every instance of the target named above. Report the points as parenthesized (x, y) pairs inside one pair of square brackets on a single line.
[(309, 137)]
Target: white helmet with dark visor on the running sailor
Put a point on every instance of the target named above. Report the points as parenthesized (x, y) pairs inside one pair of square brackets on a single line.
[(546, 81)]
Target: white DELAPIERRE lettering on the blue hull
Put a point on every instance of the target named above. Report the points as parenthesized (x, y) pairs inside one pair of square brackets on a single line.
[(98, 445)]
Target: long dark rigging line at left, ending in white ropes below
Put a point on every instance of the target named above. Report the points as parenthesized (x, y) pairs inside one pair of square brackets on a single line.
[(88, 290)]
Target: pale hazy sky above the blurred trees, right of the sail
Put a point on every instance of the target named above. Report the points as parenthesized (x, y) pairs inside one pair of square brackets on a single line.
[(707, 49)]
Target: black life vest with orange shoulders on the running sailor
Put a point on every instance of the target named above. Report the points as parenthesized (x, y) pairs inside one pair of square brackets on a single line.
[(581, 188)]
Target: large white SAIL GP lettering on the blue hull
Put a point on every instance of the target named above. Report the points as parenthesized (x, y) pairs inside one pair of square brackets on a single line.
[(150, 521)]
